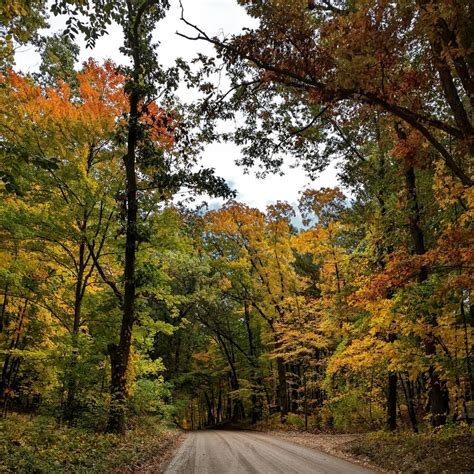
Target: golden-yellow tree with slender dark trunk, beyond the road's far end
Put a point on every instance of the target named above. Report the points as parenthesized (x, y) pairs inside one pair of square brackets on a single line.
[(263, 249)]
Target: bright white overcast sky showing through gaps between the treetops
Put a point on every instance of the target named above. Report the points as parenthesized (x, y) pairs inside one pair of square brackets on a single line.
[(213, 16)]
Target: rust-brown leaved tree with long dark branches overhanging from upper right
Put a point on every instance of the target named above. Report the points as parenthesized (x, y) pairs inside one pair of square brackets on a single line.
[(309, 68)]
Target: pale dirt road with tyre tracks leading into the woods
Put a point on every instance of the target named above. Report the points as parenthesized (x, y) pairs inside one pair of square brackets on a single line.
[(239, 452)]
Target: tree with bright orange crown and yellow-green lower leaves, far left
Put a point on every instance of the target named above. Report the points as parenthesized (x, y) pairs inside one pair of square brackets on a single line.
[(64, 136)]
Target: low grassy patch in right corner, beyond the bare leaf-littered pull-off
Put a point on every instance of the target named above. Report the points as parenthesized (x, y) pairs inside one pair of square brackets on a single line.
[(444, 450)]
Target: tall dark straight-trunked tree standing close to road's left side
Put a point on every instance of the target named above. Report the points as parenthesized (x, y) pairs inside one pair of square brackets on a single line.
[(149, 132)]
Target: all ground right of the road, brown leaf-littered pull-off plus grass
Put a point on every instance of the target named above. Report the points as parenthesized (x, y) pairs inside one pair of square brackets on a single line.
[(447, 450)]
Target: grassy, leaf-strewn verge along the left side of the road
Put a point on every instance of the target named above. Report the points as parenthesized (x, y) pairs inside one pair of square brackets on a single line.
[(38, 445)]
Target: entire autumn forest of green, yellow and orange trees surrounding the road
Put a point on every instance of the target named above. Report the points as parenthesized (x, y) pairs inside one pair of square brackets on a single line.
[(128, 305)]
